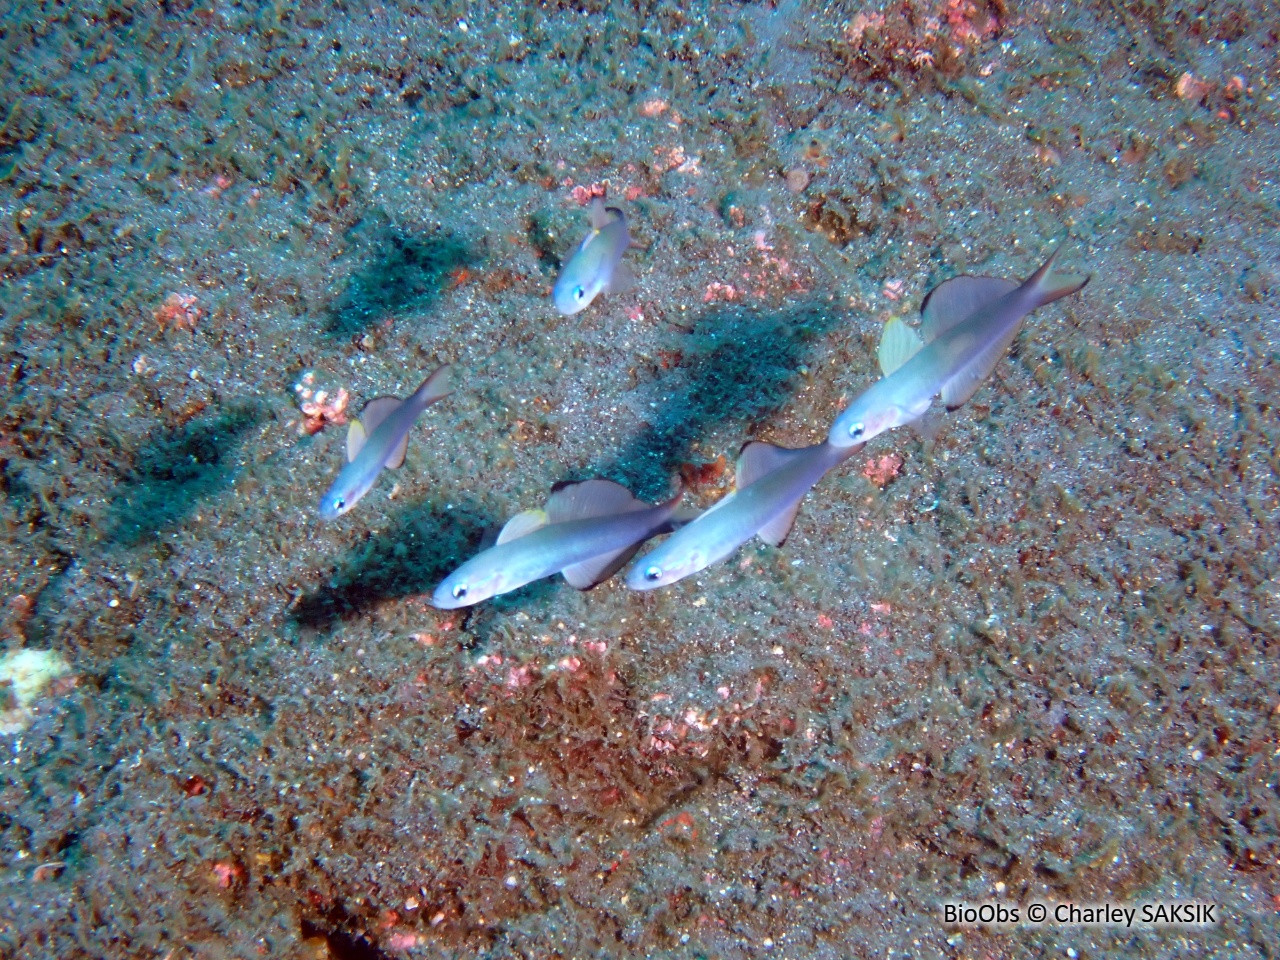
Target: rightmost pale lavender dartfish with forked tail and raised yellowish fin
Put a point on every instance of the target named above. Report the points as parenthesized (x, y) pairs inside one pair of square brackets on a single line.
[(967, 326)]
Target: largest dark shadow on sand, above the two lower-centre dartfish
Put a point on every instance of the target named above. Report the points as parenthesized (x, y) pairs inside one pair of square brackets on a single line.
[(735, 367)]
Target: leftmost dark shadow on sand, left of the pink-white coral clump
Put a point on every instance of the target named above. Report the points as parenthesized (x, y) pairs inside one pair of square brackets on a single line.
[(176, 470)]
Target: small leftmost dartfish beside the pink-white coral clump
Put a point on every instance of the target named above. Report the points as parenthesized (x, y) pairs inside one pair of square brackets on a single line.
[(378, 441)]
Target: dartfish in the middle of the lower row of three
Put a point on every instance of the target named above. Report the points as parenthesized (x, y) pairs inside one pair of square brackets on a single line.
[(771, 483)]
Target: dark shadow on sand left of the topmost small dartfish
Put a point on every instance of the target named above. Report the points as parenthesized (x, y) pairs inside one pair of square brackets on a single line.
[(401, 272)]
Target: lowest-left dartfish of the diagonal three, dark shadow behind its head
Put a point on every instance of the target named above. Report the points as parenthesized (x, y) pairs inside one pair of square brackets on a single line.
[(587, 532)]
